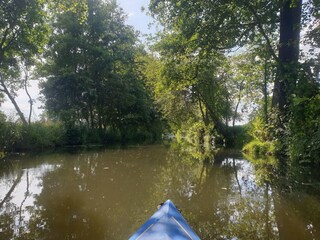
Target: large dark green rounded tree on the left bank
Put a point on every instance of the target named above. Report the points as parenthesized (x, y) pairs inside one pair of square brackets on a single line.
[(93, 78)]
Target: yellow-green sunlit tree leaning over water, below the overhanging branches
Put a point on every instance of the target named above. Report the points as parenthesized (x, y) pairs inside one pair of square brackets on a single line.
[(188, 86)]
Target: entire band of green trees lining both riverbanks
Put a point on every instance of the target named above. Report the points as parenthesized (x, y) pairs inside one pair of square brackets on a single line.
[(213, 63)]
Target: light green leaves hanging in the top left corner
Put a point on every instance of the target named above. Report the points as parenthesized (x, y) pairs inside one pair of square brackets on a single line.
[(23, 30)]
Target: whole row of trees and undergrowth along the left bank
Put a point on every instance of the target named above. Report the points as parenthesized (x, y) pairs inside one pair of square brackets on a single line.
[(88, 58)]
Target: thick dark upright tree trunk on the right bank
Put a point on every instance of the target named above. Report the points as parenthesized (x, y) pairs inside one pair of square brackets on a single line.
[(285, 83)]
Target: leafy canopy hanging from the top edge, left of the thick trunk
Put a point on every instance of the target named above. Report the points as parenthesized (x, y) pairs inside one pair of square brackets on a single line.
[(217, 24)]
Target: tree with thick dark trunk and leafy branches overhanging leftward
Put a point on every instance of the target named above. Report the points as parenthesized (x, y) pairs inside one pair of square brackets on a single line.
[(223, 25)]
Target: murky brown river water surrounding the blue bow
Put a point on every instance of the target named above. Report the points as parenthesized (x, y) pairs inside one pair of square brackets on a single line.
[(109, 193)]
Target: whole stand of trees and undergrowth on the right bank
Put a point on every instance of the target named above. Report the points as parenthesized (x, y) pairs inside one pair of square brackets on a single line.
[(198, 54)]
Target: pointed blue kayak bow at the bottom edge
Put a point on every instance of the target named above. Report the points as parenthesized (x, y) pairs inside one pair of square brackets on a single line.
[(166, 224)]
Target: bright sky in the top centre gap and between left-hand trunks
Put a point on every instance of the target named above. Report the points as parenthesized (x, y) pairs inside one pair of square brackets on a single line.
[(135, 17)]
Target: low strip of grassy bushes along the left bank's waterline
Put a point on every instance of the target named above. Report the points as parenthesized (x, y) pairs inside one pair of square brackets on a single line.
[(40, 136)]
